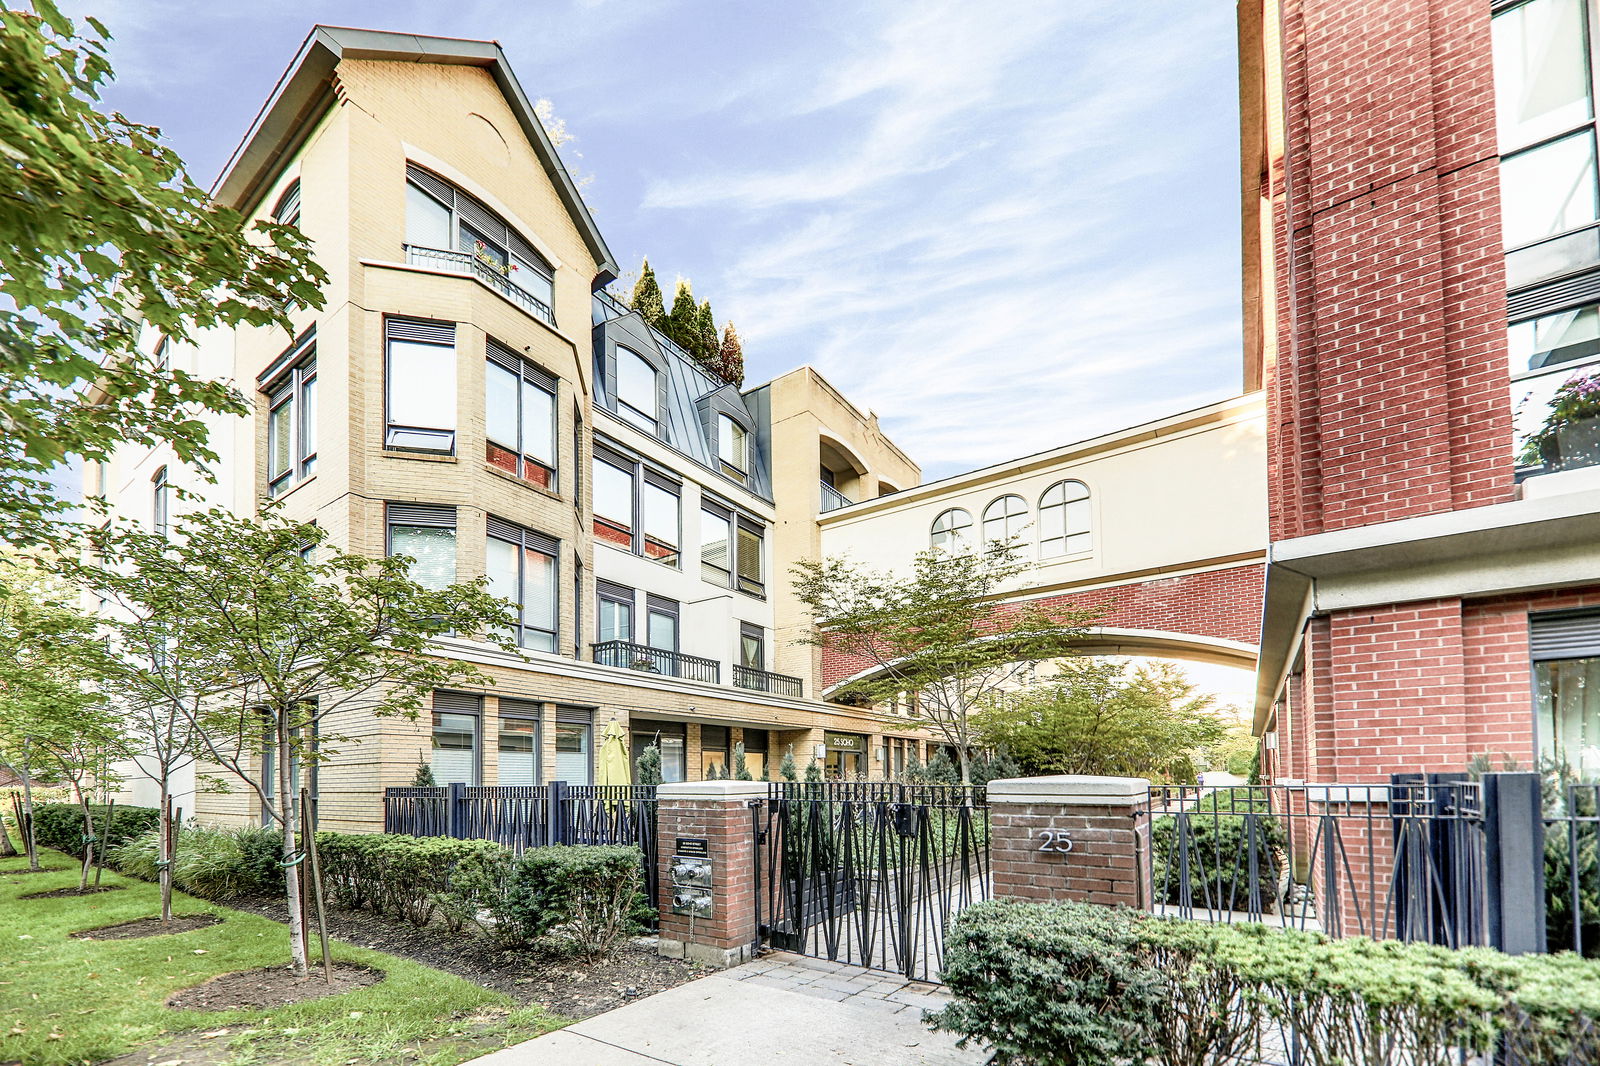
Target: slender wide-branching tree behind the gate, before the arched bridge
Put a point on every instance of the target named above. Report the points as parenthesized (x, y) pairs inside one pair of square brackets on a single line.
[(937, 633)]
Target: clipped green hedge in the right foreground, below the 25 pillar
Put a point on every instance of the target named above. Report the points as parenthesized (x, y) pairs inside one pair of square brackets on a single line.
[(1070, 985)]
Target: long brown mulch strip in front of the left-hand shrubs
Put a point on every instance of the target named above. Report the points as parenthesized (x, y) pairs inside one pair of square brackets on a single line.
[(567, 987)]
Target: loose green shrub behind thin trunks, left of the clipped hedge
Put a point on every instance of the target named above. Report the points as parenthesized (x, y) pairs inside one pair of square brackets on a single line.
[(214, 862)]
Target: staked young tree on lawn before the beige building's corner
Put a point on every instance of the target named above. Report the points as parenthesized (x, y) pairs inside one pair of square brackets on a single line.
[(302, 636)]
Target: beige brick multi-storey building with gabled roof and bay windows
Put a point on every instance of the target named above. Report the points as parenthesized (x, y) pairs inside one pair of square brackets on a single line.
[(471, 398)]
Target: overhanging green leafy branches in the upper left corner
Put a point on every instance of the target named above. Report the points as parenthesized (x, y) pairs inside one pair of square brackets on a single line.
[(102, 230)]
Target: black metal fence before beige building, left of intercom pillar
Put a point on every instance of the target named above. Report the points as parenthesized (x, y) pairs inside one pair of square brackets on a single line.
[(532, 816)]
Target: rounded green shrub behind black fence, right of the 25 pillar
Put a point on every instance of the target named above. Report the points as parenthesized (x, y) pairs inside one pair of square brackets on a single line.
[(1218, 833)]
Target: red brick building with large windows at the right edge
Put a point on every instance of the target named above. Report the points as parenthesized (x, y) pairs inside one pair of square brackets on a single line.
[(1422, 225)]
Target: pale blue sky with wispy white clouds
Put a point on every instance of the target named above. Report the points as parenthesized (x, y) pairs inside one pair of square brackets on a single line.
[(1002, 226)]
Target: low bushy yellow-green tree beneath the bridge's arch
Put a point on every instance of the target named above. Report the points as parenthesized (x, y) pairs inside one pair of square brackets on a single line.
[(1108, 718)]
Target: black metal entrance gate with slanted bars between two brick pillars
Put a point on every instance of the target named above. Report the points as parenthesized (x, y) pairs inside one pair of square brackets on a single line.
[(870, 873)]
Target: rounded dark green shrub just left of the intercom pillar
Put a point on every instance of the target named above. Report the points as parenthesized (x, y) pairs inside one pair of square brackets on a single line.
[(582, 899)]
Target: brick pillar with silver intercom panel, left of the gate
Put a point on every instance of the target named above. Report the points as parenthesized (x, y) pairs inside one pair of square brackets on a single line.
[(719, 816)]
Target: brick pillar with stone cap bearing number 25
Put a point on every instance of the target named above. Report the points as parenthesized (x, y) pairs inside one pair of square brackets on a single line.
[(1071, 838)]
